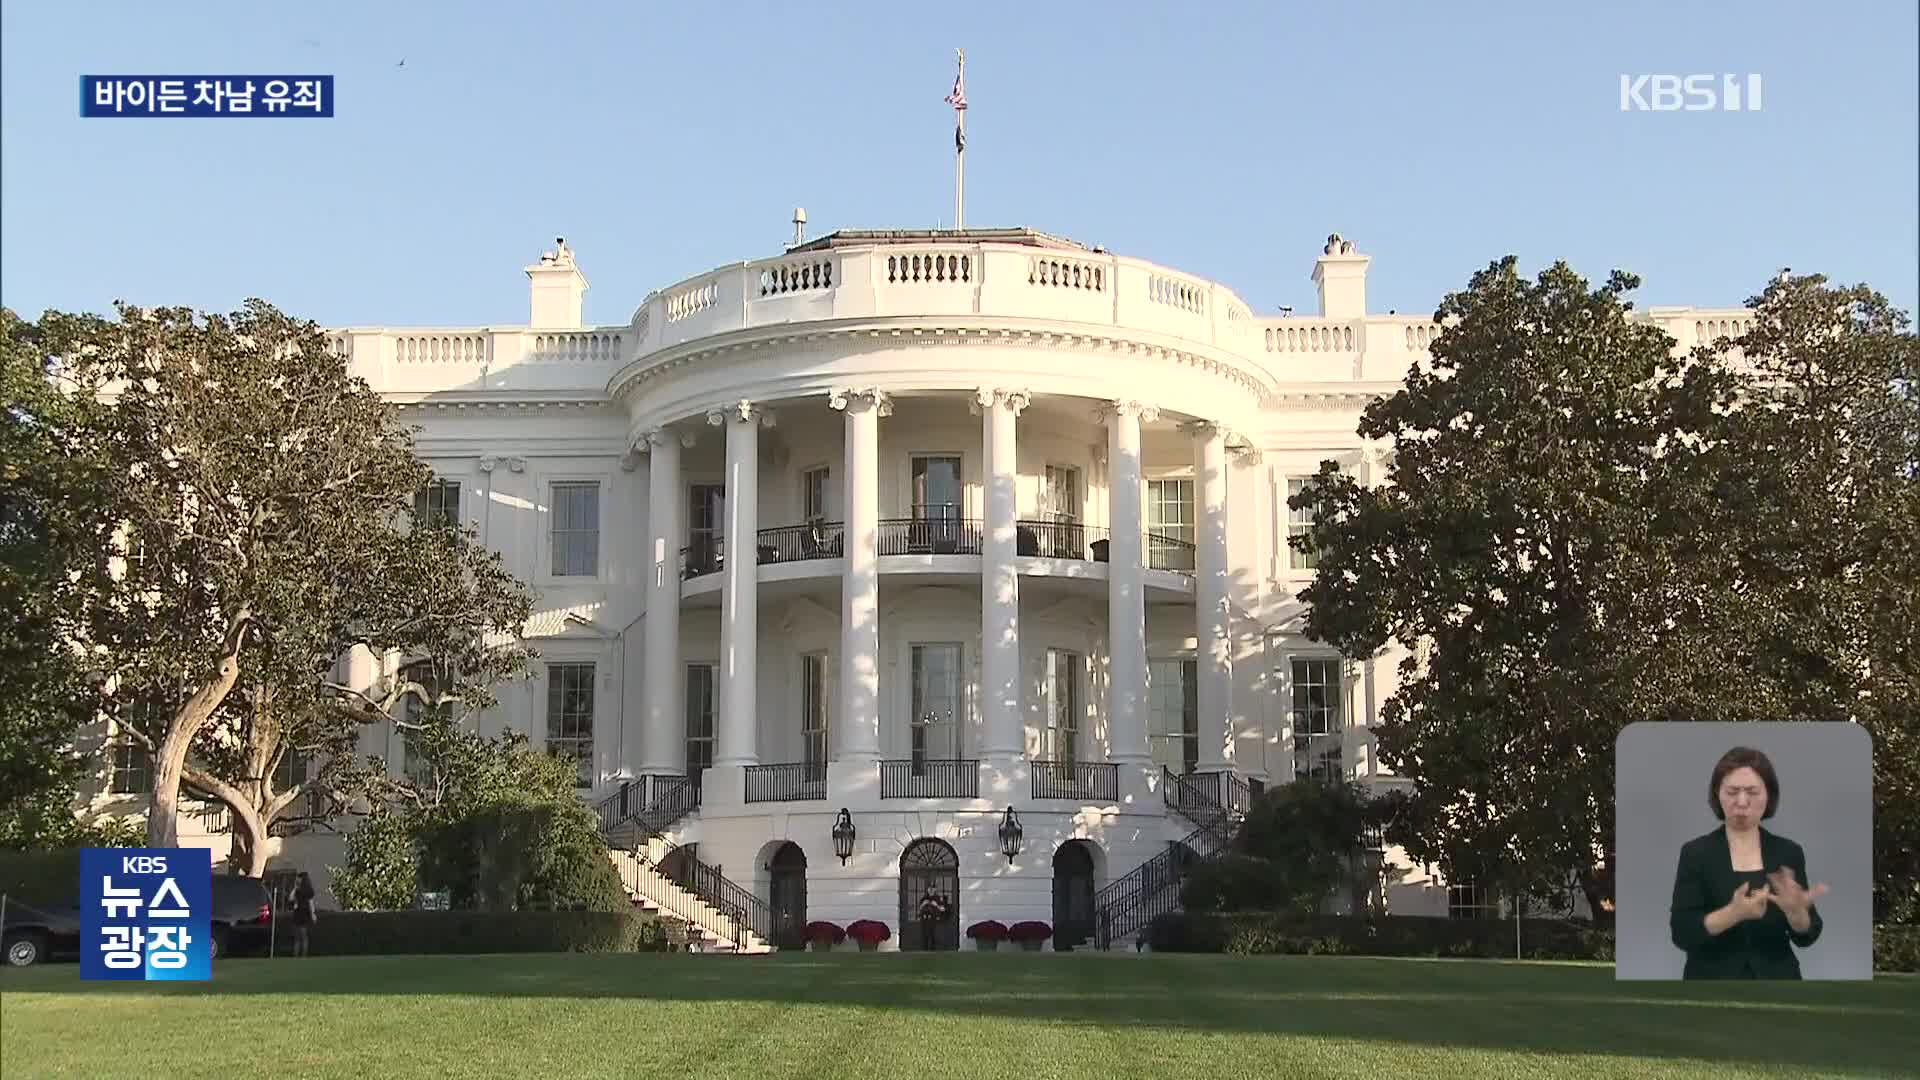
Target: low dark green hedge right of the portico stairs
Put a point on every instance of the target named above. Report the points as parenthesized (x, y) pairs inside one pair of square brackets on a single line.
[(1255, 933)]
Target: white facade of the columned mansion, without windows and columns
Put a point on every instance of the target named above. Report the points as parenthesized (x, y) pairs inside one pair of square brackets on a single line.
[(926, 324)]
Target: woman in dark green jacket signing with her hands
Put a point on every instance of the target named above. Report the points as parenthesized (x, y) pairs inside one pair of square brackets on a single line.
[(1767, 902)]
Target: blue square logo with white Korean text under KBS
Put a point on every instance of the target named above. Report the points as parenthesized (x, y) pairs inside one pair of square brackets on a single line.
[(147, 914)]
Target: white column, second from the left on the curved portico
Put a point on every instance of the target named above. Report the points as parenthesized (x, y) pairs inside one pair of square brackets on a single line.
[(736, 733)]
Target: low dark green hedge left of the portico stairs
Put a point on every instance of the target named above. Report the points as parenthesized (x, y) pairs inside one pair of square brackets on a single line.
[(393, 933)]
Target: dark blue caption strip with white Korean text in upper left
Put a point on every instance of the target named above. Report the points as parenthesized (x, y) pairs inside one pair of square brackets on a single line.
[(206, 95)]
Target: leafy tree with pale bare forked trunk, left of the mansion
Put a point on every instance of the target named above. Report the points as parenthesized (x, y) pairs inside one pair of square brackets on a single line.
[(266, 501)]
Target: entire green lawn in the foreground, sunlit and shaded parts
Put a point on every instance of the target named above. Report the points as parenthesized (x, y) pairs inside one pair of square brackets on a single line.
[(917, 1018)]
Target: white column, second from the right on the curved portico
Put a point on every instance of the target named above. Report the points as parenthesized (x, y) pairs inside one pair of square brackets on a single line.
[(1126, 595)]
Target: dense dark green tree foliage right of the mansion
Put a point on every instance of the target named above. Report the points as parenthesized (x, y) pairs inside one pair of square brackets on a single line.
[(1583, 531)]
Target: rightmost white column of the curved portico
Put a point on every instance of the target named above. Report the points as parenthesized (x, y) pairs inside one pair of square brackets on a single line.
[(1211, 597)]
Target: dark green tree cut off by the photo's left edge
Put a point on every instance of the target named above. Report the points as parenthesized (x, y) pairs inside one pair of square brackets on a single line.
[(55, 481)]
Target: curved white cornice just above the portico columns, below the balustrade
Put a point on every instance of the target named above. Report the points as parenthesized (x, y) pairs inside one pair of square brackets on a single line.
[(1090, 341)]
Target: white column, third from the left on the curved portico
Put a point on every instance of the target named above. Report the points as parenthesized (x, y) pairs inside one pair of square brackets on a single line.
[(859, 714)]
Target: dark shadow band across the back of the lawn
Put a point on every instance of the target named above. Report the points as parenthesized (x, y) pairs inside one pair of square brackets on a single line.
[(1531, 1008)]
